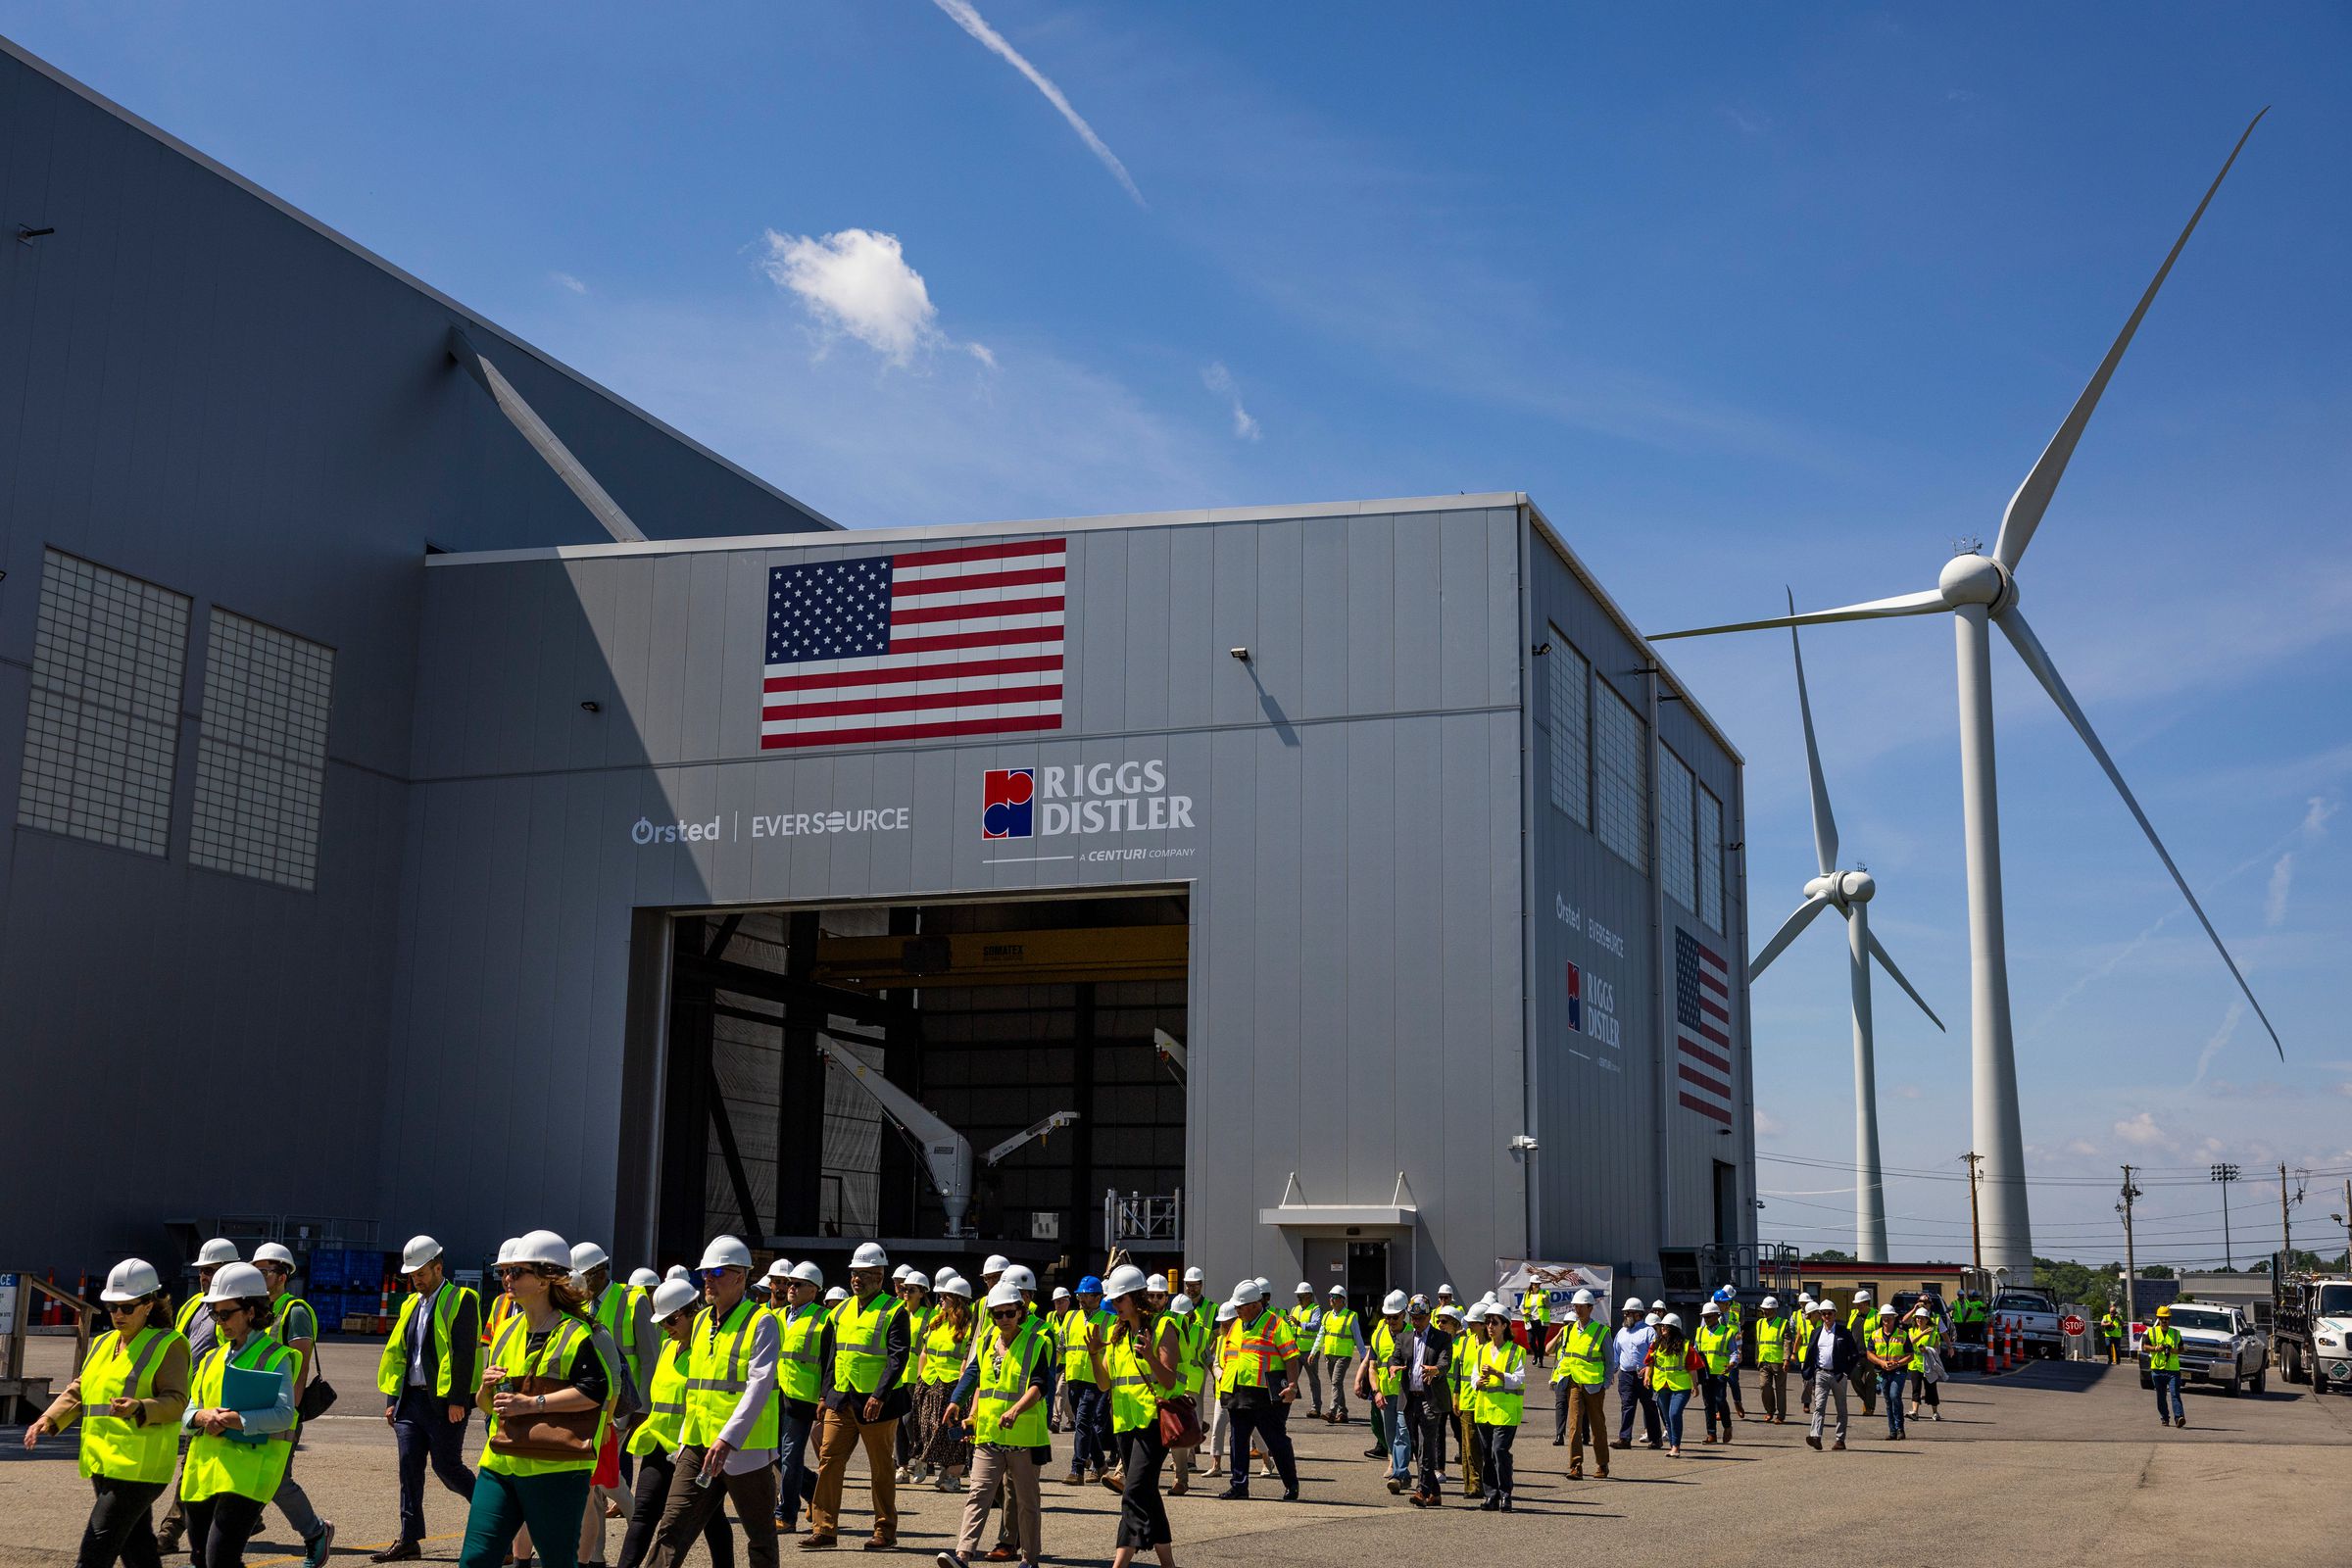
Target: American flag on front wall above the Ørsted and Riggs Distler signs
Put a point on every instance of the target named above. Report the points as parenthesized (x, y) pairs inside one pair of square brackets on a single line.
[(933, 643)]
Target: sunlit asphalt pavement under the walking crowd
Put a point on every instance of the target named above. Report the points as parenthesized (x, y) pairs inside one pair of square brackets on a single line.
[(2062, 1463)]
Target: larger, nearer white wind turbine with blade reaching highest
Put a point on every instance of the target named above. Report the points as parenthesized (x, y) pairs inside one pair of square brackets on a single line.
[(1984, 594)]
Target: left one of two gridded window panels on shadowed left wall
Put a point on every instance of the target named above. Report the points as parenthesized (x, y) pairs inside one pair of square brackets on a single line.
[(102, 716)]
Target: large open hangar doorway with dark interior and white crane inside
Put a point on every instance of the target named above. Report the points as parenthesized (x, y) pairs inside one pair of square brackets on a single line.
[(991, 1014)]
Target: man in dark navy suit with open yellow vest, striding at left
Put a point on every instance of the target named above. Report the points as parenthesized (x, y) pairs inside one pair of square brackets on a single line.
[(427, 1376)]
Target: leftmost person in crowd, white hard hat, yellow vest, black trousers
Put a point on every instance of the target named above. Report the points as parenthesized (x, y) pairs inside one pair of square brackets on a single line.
[(131, 1395)]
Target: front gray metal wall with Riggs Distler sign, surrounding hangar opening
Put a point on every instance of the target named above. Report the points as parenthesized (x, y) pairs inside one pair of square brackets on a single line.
[(1356, 850)]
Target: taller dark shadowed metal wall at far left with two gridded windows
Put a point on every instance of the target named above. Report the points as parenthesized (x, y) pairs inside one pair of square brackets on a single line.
[(203, 389)]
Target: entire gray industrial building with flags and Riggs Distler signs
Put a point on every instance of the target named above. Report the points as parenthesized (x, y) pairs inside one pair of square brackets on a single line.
[(1349, 892)]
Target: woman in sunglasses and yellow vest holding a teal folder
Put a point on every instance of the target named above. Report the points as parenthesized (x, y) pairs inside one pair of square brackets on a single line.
[(236, 1459)]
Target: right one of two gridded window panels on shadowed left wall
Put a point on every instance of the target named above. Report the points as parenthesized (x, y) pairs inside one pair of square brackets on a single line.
[(262, 756)]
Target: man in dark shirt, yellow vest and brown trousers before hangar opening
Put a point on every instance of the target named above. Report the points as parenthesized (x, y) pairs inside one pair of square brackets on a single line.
[(867, 1353)]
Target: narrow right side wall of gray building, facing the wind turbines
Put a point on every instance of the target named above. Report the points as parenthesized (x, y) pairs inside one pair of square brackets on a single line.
[(1605, 1195)]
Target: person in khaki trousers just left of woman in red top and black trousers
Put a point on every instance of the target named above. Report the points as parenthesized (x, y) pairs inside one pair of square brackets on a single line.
[(1005, 1388)]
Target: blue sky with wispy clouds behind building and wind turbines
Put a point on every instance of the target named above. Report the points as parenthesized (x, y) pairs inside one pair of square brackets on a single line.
[(1744, 297)]
